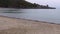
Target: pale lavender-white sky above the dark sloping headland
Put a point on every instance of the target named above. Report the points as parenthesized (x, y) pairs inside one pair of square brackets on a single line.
[(51, 3)]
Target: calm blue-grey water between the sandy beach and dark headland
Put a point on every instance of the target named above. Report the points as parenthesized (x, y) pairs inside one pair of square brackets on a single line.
[(49, 15)]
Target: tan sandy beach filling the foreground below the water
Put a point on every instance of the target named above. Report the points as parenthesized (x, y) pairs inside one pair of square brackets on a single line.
[(25, 26)]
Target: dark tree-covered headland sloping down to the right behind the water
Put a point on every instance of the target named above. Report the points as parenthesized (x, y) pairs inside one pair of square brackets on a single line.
[(21, 4)]
